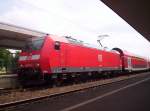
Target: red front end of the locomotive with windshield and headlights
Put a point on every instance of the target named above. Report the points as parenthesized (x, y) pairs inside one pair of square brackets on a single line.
[(30, 61)]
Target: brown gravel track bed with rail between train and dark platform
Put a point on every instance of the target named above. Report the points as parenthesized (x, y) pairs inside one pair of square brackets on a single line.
[(25, 97)]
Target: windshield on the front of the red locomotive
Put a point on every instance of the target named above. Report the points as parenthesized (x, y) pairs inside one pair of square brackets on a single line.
[(34, 44)]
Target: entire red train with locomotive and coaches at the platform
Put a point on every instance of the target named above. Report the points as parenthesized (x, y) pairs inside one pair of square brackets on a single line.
[(53, 58)]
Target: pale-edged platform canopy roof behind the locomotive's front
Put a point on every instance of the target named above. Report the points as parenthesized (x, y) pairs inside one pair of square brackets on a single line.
[(15, 37)]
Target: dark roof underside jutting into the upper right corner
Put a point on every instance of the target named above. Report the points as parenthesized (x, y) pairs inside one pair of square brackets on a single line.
[(135, 12)]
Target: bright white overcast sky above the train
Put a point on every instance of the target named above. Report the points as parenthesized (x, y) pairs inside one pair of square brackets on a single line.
[(81, 19)]
